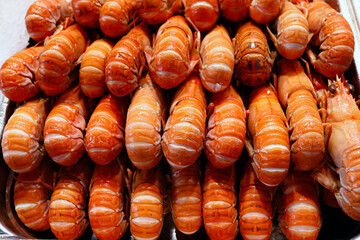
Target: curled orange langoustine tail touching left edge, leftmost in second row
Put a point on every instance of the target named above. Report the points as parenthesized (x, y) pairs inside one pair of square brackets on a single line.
[(17, 75)]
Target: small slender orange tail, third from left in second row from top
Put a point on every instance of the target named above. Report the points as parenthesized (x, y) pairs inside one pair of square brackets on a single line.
[(92, 68)]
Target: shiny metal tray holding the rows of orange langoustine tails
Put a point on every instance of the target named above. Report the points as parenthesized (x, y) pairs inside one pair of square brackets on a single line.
[(336, 225)]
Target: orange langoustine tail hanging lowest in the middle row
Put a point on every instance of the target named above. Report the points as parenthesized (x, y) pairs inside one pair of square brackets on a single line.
[(267, 126)]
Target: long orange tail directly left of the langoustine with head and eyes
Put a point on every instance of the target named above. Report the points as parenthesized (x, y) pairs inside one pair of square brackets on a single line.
[(296, 94)]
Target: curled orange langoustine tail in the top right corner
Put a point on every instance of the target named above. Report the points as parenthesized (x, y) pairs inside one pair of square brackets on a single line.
[(332, 33)]
